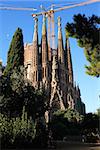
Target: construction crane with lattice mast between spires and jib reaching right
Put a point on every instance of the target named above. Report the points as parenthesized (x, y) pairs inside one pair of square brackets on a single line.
[(50, 15)]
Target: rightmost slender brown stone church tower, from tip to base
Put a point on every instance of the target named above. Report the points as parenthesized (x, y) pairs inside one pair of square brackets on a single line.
[(69, 76)]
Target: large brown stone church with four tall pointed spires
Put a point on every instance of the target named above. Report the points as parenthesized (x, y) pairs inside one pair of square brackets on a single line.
[(52, 69)]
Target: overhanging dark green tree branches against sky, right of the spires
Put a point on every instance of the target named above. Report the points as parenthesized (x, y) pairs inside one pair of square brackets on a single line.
[(86, 31)]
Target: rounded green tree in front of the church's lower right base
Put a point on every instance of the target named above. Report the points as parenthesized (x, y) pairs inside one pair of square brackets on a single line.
[(67, 122)]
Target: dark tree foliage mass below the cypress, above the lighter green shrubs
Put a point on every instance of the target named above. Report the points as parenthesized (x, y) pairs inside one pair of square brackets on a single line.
[(17, 92)]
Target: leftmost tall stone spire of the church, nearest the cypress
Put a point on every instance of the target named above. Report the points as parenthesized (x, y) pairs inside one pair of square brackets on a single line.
[(35, 54)]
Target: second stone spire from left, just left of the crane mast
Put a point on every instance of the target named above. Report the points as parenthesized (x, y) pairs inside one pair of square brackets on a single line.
[(45, 65)]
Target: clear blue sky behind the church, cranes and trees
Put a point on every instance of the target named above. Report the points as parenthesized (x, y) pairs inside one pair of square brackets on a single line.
[(10, 20)]
